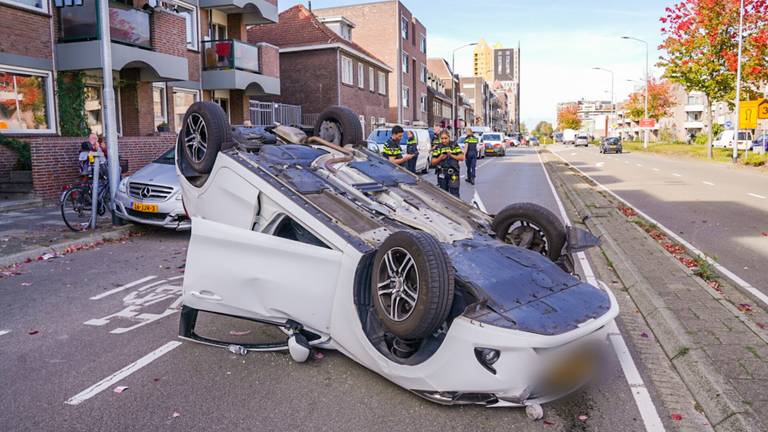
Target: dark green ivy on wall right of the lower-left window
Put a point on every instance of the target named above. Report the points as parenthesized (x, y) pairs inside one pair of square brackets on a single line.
[(71, 91)]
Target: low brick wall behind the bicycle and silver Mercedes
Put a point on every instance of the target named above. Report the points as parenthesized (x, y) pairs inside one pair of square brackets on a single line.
[(54, 159)]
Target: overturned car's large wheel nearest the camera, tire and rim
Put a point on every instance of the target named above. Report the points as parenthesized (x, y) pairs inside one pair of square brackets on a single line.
[(408, 259)]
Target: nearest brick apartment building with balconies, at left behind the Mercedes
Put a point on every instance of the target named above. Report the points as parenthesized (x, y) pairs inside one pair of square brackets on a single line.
[(164, 59)]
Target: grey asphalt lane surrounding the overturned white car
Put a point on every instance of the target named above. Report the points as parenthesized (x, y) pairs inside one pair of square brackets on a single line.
[(110, 315)]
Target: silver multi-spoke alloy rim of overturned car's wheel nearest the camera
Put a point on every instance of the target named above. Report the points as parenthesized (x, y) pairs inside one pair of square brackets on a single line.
[(398, 289)]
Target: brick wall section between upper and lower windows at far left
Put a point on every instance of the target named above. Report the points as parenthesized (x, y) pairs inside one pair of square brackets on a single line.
[(25, 33)]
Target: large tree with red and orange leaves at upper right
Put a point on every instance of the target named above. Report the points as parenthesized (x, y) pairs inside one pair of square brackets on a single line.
[(701, 48)]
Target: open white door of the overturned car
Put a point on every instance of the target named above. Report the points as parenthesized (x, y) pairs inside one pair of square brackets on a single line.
[(243, 273)]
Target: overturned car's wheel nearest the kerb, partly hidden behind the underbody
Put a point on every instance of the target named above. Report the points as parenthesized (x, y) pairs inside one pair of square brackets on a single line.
[(532, 227)]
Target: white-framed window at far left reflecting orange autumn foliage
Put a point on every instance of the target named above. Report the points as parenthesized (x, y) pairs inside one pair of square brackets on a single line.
[(26, 101)]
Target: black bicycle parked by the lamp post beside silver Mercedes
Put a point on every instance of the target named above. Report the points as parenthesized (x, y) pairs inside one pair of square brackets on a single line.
[(76, 200)]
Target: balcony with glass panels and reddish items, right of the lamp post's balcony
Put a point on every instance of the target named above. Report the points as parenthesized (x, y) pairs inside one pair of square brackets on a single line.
[(236, 65)]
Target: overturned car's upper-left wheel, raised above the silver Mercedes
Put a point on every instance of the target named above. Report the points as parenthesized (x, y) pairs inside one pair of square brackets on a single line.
[(204, 132)]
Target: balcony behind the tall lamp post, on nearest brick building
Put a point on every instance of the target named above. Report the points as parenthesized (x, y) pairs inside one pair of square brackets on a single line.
[(132, 32)]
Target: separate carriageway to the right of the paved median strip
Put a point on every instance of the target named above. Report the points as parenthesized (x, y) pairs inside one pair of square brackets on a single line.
[(720, 209)]
